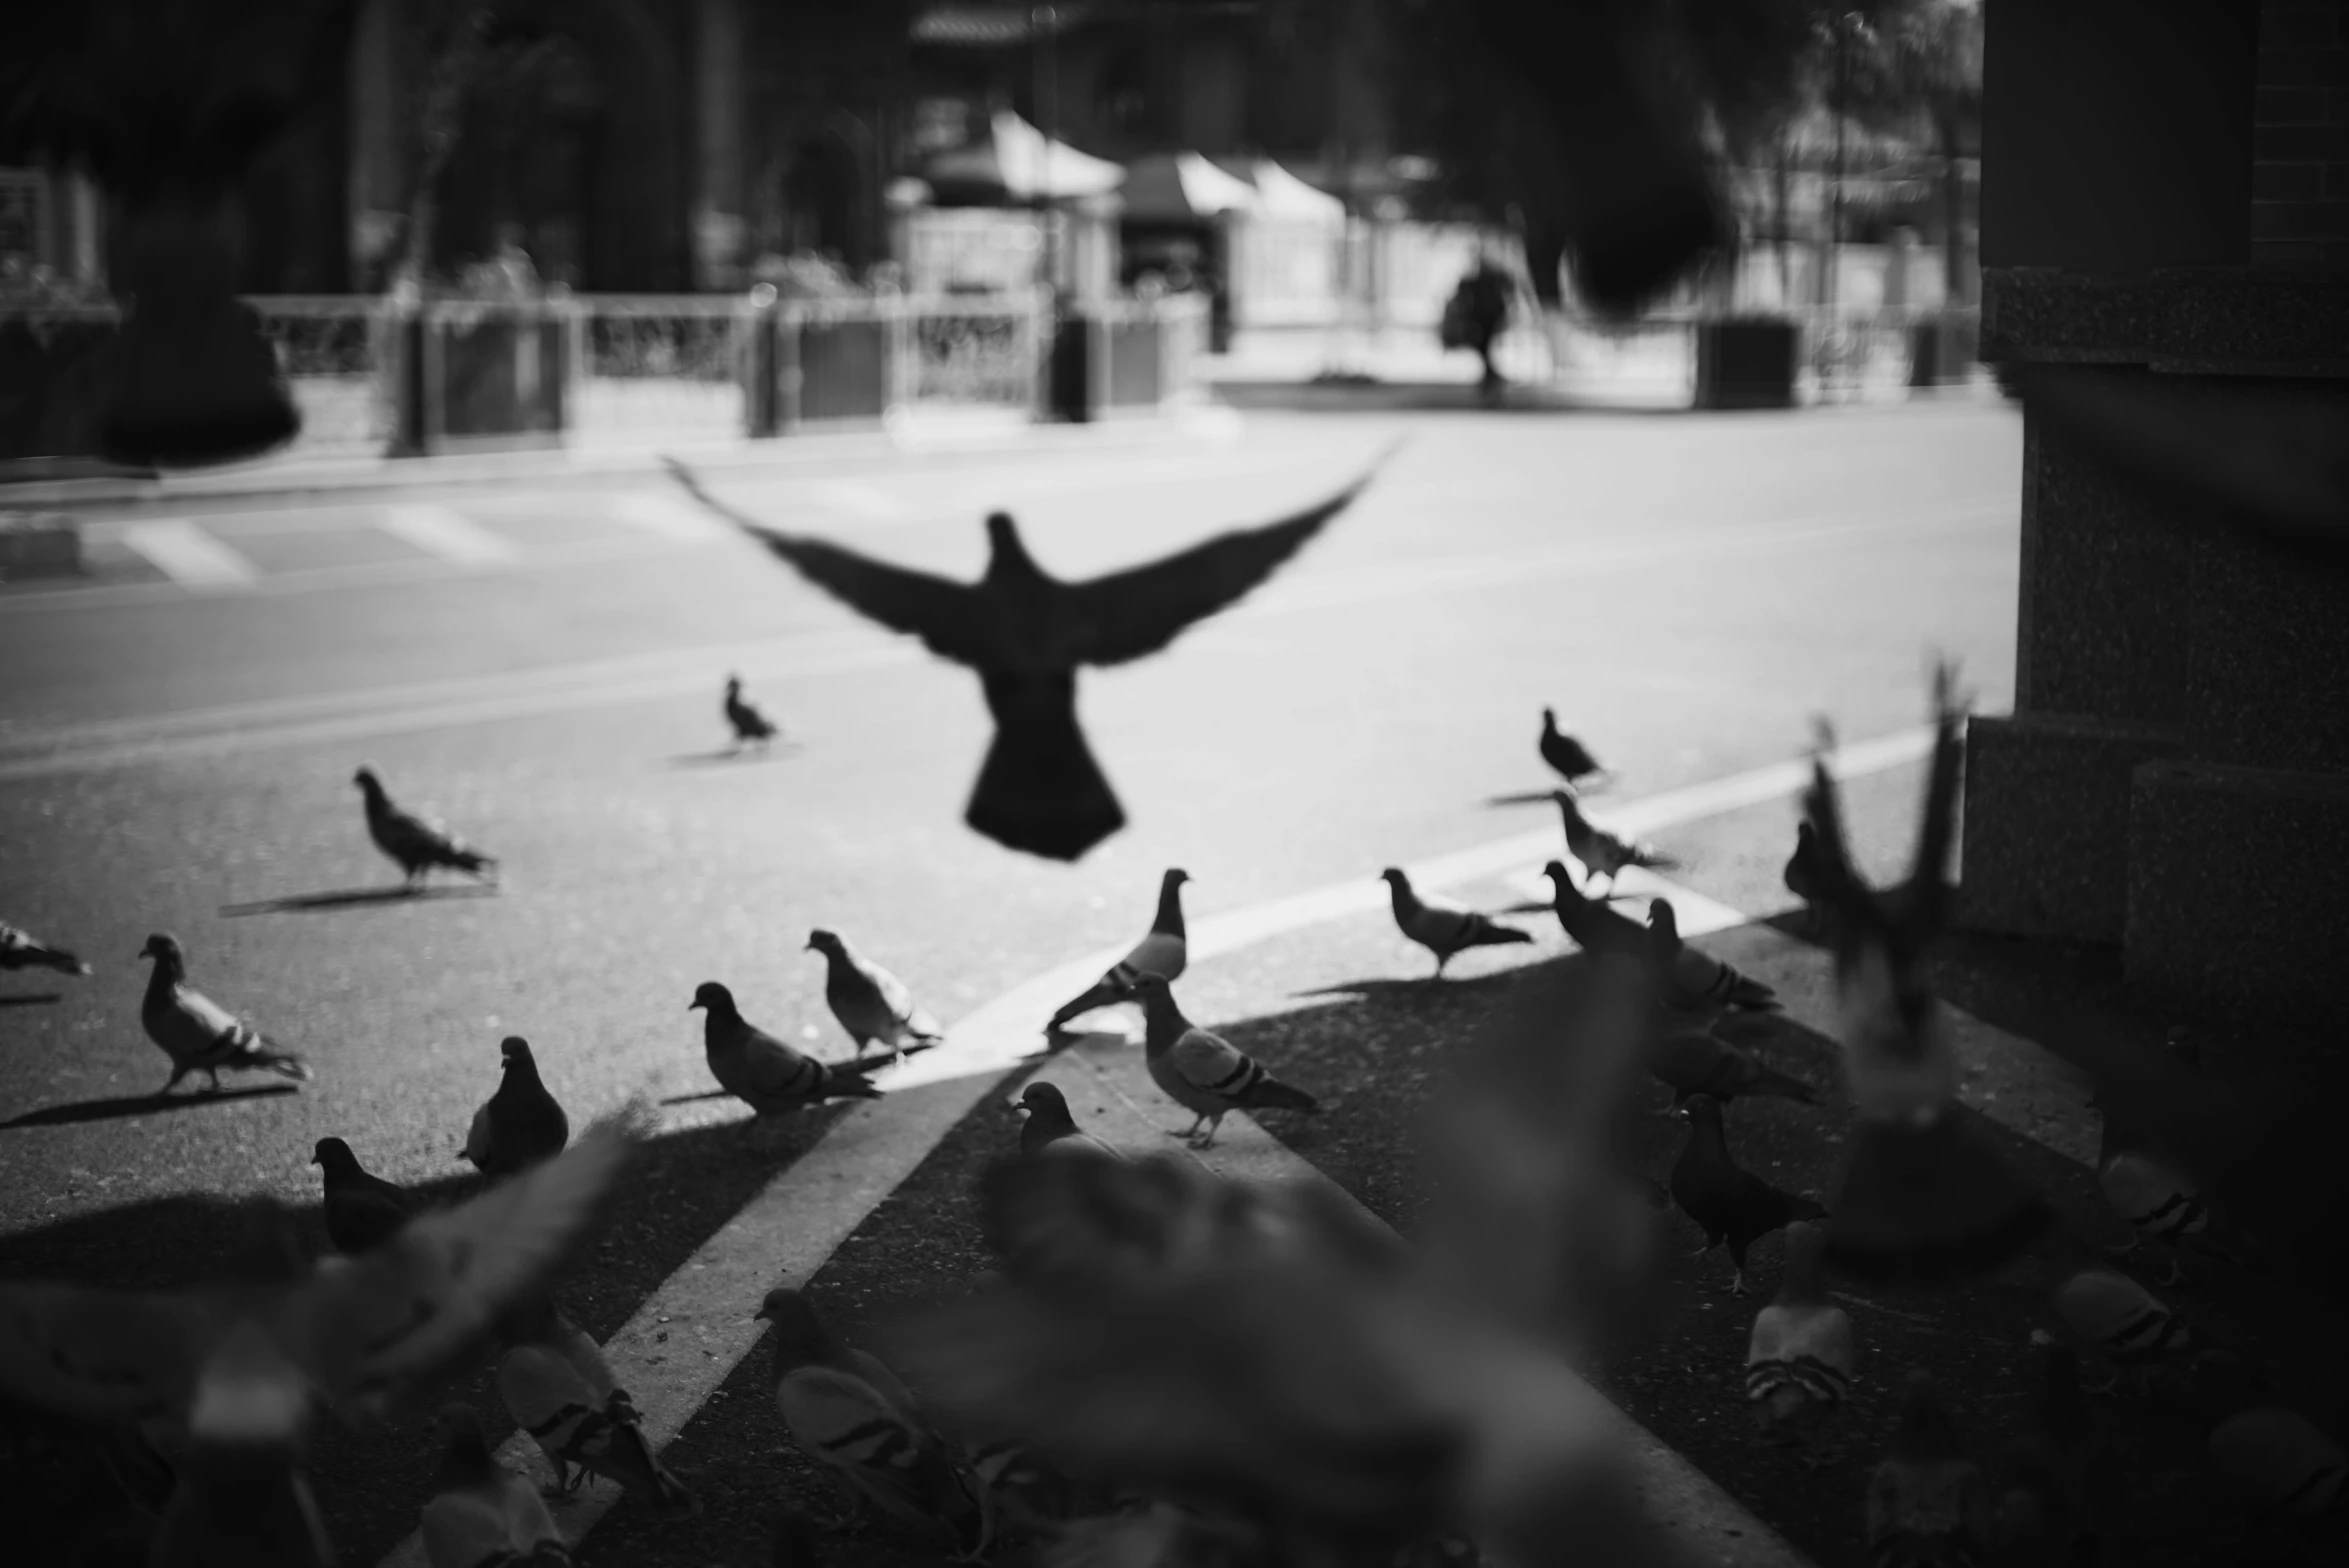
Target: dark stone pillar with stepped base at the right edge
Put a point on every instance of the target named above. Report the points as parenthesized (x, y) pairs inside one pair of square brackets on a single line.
[(2176, 771)]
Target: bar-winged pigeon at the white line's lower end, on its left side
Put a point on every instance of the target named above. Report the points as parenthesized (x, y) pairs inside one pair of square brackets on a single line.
[(560, 1391)]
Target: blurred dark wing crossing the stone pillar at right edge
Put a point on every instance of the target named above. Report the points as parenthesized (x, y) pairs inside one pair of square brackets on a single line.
[(2263, 459)]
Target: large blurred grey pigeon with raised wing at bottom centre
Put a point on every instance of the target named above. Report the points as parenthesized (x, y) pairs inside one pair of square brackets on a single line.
[(1279, 1363)]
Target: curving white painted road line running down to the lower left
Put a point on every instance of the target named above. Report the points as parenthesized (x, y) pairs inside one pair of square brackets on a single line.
[(689, 1337)]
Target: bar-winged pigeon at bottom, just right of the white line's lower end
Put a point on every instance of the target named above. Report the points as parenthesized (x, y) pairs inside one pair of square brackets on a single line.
[(854, 1417)]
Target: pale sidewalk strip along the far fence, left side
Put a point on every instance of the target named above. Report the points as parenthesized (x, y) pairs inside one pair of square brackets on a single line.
[(74, 485)]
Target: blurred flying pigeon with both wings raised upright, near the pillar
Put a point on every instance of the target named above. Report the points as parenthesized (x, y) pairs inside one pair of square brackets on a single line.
[(1925, 1194)]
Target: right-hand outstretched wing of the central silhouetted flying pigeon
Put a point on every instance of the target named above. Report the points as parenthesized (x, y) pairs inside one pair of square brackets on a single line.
[(1136, 614)]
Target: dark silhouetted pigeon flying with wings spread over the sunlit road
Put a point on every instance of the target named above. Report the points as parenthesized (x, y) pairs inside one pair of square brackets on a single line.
[(1028, 635)]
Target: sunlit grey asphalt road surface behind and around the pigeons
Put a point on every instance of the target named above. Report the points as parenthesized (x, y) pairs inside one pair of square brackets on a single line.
[(1685, 590)]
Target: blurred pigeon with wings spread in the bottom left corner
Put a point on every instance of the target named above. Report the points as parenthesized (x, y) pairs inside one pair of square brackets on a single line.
[(238, 1367)]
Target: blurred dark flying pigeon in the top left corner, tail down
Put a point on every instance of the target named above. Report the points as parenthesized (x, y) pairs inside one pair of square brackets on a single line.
[(168, 104)]
